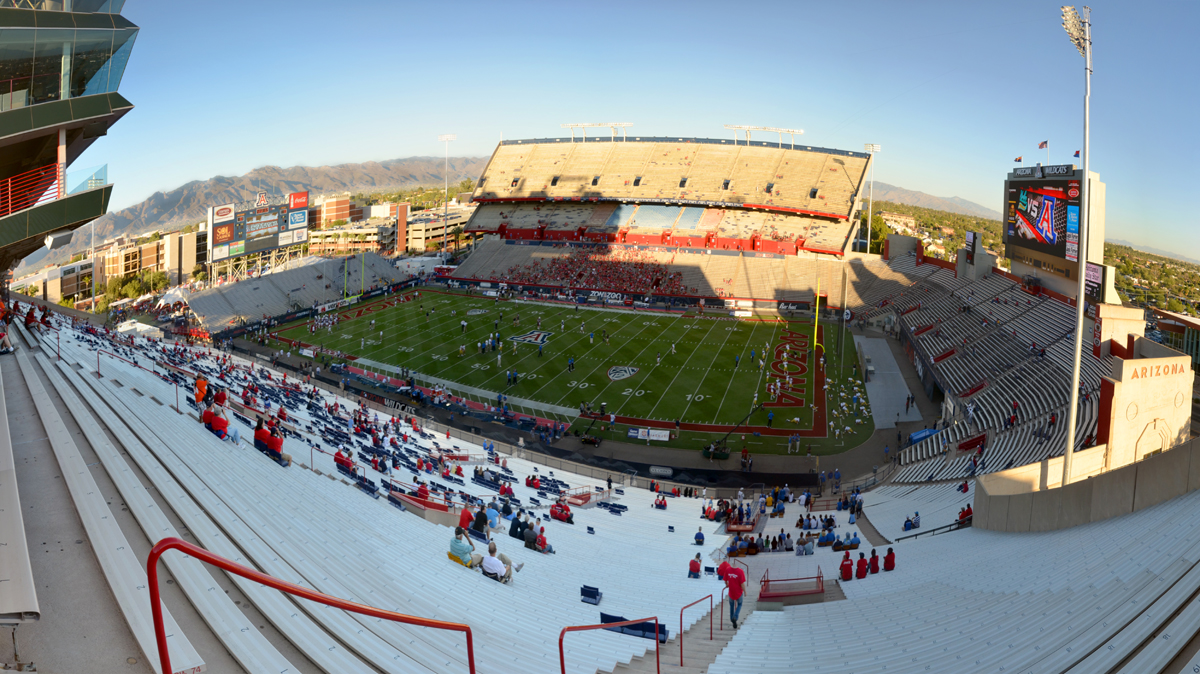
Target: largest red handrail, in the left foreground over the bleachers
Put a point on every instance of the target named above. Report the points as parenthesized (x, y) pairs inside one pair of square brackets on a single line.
[(272, 582)]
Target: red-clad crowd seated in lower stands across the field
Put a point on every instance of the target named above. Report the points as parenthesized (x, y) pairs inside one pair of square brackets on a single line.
[(623, 270)]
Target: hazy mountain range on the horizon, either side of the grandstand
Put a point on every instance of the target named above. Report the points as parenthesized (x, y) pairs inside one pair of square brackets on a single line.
[(188, 204)]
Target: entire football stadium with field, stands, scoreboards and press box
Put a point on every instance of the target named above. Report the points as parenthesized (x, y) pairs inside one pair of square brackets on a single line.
[(669, 411)]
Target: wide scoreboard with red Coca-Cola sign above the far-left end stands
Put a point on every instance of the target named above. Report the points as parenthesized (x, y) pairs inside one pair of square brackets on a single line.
[(260, 226)]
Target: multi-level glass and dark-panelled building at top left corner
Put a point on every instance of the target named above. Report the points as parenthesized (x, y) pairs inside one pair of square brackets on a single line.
[(58, 95)]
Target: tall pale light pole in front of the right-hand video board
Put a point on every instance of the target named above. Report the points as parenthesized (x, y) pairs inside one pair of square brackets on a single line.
[(1079, 29)]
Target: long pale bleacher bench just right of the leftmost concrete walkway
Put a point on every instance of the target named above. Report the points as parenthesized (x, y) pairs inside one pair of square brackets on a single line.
[(122, 568)]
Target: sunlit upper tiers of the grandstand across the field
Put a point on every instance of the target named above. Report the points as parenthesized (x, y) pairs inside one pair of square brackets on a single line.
[(687, 192)]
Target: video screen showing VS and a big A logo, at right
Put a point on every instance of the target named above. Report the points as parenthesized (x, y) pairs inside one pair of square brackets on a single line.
[(1043, 216)]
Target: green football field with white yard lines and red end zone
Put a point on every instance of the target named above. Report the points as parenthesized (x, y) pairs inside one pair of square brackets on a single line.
[(667, 368)]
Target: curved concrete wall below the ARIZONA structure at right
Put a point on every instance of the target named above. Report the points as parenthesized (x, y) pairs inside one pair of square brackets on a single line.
[(1003, 504)]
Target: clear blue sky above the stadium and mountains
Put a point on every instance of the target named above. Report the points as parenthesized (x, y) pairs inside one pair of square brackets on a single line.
[(953, 92)]
